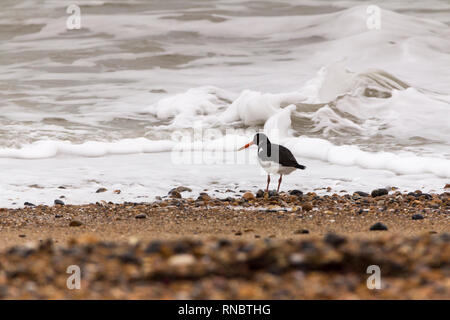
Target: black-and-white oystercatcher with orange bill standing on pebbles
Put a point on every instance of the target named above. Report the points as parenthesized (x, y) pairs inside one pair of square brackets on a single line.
[(274, 158)]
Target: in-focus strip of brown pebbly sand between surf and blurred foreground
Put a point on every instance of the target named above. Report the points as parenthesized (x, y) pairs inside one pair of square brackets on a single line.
[(347, 213)]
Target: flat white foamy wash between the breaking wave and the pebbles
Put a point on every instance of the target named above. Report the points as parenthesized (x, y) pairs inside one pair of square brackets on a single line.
[(75, 180)]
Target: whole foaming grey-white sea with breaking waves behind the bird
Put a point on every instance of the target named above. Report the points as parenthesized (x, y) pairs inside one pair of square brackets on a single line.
[(148, 95)]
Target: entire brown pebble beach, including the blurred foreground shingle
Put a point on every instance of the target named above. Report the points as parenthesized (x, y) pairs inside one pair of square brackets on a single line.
[(287, 246)]
